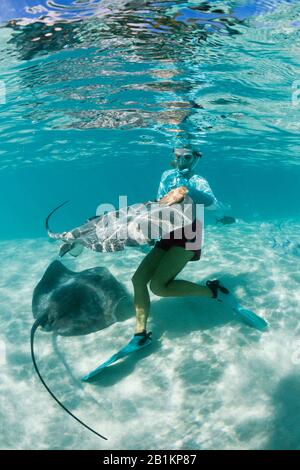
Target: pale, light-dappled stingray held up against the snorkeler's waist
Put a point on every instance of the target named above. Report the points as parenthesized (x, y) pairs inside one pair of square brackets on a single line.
[(139, 224)]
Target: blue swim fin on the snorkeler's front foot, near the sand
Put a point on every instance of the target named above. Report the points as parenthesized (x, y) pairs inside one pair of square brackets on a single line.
[(137, 342)]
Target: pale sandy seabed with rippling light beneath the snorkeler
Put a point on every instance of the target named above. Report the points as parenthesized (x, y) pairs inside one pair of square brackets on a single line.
[(207, 382)]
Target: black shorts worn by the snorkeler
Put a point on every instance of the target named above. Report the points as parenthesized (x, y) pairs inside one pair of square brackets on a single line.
[(167, 243)]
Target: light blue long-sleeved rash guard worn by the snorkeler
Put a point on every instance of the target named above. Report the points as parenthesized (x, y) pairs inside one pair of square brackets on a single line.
[(199, 189)]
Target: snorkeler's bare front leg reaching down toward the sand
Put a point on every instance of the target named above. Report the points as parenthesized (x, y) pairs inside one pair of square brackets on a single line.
[(140, 280)]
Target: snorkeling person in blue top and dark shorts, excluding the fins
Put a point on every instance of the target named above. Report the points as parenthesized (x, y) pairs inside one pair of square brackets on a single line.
[(169, 256)]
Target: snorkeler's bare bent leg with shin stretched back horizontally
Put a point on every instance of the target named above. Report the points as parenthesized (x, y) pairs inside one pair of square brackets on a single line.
[(163, 283)]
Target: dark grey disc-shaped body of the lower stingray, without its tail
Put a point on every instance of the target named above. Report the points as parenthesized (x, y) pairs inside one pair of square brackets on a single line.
[(78, 303)]
